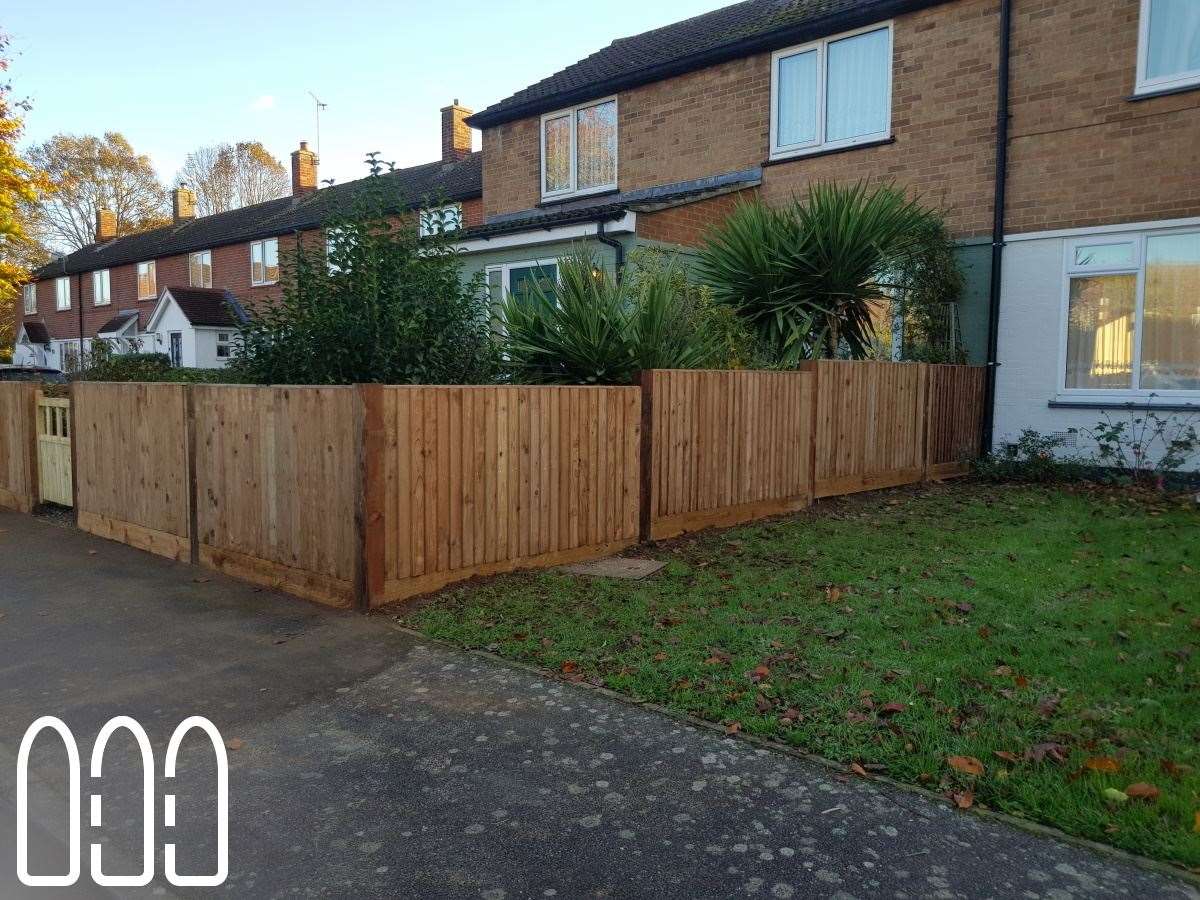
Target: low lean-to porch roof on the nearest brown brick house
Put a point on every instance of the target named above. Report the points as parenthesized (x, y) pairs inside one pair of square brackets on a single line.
[(613, 207)]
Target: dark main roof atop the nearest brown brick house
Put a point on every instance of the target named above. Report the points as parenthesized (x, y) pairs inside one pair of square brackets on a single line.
[(733, 32)]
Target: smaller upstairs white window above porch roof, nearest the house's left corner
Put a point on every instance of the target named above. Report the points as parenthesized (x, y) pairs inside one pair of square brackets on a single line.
[(579, 151)]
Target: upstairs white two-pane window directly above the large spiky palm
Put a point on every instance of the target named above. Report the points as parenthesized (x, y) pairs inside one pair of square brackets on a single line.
[(832, 94)]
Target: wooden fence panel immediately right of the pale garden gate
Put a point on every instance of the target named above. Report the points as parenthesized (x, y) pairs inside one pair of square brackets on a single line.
[(131, 464)]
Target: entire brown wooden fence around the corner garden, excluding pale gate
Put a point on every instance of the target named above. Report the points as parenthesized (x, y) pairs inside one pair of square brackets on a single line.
[(370, 495)]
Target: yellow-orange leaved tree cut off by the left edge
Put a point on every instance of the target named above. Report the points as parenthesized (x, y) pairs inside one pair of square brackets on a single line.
[(21, 185)]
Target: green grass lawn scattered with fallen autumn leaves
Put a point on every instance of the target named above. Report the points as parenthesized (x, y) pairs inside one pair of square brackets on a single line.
[(1049, 638)]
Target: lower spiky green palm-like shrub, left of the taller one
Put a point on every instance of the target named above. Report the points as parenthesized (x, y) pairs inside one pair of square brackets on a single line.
[(597, 331)]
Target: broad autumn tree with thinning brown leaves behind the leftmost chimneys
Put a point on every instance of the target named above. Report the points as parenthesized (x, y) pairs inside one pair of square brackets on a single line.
[(91, 173)]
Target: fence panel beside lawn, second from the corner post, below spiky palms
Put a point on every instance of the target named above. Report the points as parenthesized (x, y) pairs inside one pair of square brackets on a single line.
[(725, 448)]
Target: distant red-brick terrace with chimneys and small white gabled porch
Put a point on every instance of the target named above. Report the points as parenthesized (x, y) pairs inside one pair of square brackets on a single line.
[(178, 290)]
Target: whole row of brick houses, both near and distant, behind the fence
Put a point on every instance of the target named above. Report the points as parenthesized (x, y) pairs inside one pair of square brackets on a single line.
[(1063, 137)]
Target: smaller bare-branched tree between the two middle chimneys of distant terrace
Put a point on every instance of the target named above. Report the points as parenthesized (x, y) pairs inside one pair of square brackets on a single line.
[(232, 176)]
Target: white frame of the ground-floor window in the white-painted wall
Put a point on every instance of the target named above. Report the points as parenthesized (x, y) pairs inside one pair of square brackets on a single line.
[(1136, 393)]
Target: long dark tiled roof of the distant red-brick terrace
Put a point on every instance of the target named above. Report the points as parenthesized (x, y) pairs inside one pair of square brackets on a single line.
[(409, 189)]
